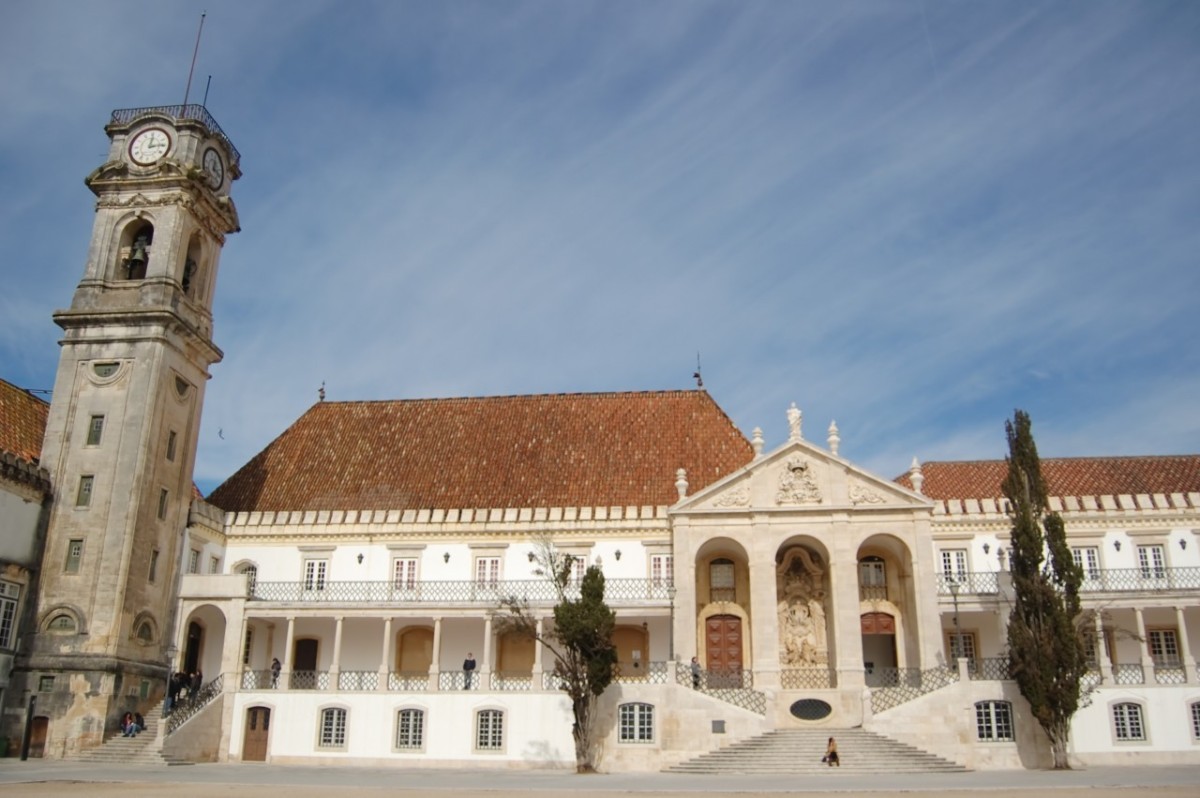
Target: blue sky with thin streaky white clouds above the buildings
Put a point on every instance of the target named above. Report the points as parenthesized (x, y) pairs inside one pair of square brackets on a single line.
[(910, 217)]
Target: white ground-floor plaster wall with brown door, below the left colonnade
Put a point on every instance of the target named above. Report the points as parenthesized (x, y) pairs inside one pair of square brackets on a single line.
[(538, 729)]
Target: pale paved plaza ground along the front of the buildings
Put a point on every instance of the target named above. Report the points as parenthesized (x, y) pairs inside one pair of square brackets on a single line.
[(55, 778)]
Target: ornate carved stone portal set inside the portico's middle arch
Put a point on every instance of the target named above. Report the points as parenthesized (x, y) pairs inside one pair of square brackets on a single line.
[(801, 591)]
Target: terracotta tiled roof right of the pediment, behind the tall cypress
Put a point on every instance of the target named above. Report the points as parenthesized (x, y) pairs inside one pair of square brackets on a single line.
[(981, 479)]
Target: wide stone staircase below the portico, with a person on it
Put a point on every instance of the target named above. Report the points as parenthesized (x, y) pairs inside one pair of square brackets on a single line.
[(800, 751)]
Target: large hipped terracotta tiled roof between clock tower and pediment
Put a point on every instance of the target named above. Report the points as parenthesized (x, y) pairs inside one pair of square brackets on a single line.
[(506, 452)]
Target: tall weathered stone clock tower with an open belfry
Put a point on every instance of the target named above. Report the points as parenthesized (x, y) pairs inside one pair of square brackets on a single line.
[(121, 441)]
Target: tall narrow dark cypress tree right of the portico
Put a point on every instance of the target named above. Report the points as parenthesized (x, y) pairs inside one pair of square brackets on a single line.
[(1046, 649)]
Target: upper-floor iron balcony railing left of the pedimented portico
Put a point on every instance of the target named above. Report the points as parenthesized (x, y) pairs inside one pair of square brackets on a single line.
[(451, 592)]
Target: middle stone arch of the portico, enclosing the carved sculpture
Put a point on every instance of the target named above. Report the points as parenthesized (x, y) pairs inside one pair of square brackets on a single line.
[(803, 611)]
